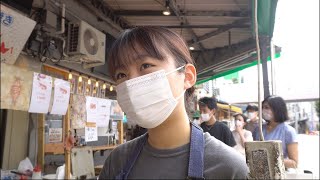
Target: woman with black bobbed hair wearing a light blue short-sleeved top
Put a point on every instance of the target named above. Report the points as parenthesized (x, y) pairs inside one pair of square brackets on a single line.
[(274, 111)]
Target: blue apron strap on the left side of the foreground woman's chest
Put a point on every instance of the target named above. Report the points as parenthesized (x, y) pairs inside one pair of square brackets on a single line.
[(133, 158)]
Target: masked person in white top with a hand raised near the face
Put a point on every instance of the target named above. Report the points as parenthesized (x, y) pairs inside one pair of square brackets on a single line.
[(240, 134)]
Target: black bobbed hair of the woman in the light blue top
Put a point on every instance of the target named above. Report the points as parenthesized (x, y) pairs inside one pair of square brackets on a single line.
[(278, 107)]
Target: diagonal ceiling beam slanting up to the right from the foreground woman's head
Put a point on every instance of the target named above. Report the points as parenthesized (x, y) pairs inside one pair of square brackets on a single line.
[(220, 30)]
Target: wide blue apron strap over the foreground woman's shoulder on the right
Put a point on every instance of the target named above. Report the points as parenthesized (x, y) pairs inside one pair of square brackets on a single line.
[(196, 156)]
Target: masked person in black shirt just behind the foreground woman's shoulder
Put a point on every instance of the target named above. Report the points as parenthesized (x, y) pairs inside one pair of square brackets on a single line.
[(208, 107)]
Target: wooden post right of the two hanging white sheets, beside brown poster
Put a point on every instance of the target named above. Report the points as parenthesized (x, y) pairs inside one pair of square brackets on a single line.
[(67, 155)]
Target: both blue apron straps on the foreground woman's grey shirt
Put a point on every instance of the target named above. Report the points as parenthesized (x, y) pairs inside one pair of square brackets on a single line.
[(196, 163)]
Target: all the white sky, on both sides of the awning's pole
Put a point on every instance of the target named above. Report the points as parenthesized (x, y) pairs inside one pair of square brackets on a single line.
[(296, 71)]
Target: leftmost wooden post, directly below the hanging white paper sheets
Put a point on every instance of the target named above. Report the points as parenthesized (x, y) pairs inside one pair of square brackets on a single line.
[(41, 141)]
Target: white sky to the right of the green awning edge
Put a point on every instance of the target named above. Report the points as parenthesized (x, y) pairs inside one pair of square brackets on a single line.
[(297, 32)]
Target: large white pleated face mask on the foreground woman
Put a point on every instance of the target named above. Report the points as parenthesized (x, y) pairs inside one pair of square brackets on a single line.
[(147, 100)]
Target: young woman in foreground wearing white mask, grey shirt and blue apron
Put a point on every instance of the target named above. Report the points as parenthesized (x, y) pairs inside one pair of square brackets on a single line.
[(153, 70)]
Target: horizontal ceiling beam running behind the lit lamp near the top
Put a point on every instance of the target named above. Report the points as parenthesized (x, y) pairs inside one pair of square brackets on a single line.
[(227, 13)]
